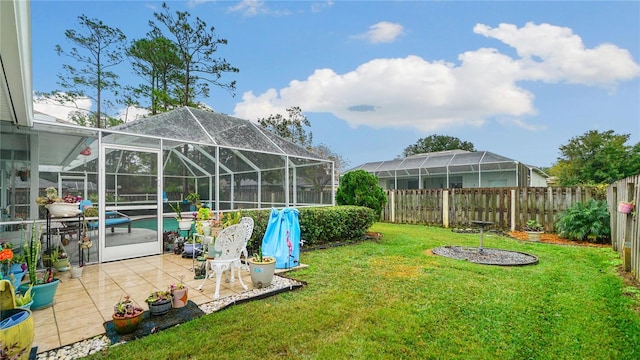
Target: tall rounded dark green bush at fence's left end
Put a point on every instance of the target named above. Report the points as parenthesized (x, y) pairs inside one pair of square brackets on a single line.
[(361, 189)]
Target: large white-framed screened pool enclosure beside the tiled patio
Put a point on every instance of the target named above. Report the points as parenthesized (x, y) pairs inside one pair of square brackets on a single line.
[(132, 172)]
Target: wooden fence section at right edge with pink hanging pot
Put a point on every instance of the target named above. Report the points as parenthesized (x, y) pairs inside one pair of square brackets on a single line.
[(625, 235)]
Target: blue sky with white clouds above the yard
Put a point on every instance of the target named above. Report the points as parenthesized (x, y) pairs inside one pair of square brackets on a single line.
[(516, 78)]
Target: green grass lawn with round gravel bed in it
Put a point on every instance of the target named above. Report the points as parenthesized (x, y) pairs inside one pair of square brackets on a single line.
[(392, 299)]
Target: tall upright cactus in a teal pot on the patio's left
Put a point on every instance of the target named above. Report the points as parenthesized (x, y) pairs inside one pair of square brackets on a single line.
[(44, 289)]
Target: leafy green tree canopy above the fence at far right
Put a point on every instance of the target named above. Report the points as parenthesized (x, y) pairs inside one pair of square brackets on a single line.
[(596, 158)]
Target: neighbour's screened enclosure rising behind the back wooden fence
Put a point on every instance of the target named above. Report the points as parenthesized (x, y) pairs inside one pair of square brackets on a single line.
[(454, 169)]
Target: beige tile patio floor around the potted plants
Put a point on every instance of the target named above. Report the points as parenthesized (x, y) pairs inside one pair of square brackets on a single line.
[(82, 305)]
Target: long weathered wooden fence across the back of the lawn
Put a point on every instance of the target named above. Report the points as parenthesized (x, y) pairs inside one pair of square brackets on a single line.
[(507, 208)]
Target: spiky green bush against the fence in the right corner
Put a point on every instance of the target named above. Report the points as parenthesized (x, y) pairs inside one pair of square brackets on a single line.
[(585, 222)]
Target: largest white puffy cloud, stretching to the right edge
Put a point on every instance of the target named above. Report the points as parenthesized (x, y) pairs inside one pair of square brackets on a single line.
[(412, 92)]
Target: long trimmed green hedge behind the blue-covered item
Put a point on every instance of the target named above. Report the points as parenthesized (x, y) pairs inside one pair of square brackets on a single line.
[(318, 225)]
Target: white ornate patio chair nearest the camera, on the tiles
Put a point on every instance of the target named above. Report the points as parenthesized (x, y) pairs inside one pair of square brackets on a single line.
[(228, 246)]
